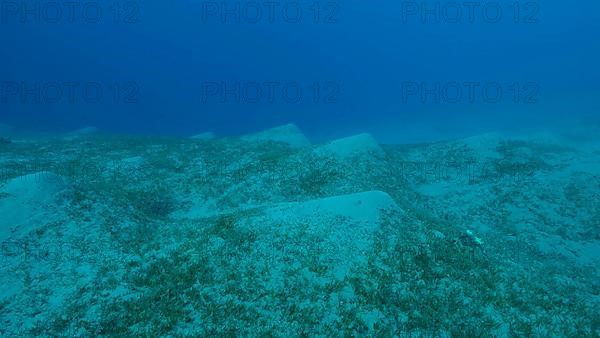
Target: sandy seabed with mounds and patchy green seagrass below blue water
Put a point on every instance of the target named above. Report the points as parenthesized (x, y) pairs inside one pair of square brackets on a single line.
[(271, 236)]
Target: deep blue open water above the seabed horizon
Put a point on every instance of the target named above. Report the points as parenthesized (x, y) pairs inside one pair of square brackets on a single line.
[(362, 57)]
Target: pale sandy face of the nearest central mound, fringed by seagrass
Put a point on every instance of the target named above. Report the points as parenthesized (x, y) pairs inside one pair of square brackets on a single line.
[(341, 228)]
